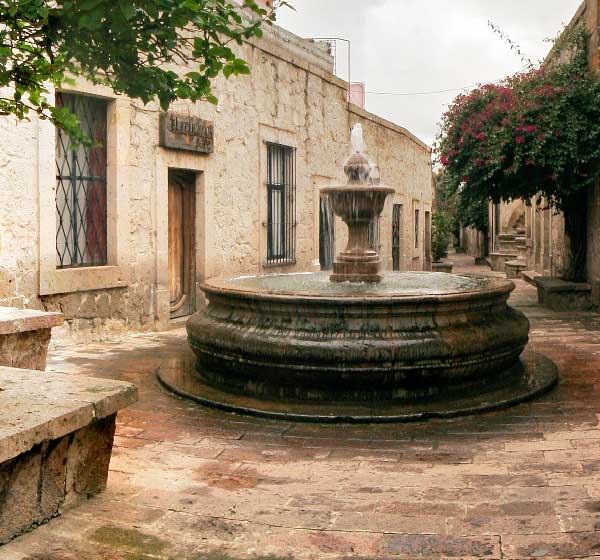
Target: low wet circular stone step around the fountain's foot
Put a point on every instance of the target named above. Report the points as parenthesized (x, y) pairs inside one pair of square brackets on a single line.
[(538, 367)]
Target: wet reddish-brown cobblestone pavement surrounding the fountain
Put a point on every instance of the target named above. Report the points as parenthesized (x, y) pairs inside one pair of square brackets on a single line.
[(190, 483)]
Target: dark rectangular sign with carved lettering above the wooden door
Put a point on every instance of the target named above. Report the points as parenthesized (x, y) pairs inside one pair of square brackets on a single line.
[(181, 132)]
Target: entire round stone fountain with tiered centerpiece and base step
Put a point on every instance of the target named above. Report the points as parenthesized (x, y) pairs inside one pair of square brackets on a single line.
[(359, 346)]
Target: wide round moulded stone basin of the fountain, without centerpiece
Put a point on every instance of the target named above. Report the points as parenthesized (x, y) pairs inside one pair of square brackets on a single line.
[(301, 338)]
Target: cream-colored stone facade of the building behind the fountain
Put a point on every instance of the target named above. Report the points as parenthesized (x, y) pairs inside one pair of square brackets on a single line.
[(291, 98)]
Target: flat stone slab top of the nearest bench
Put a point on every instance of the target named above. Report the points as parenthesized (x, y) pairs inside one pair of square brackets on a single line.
[(37, 407)]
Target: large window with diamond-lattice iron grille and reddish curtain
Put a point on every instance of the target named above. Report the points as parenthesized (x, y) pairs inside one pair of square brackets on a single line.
[(81, 186)]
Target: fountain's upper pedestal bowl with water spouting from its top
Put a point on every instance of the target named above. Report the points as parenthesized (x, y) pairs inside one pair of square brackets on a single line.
[(358, 204)]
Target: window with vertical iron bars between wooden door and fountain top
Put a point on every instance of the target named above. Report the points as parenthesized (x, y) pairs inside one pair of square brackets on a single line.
[(281, 198)]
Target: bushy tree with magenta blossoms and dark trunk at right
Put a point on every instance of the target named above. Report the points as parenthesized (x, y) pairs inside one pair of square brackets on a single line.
[(537, 134)]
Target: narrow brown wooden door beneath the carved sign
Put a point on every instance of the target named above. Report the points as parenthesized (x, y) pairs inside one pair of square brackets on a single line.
[(182, 248)]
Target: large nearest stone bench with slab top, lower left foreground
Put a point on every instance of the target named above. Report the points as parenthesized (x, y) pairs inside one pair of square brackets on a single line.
[(56, 436)]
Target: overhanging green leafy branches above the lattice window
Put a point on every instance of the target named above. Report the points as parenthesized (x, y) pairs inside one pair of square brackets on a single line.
[(132, 46)]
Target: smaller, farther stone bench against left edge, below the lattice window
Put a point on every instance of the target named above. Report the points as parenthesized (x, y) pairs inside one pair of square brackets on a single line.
[(24, 337)]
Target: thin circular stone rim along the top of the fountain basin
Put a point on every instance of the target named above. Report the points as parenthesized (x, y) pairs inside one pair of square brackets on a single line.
[(498, 287)]
